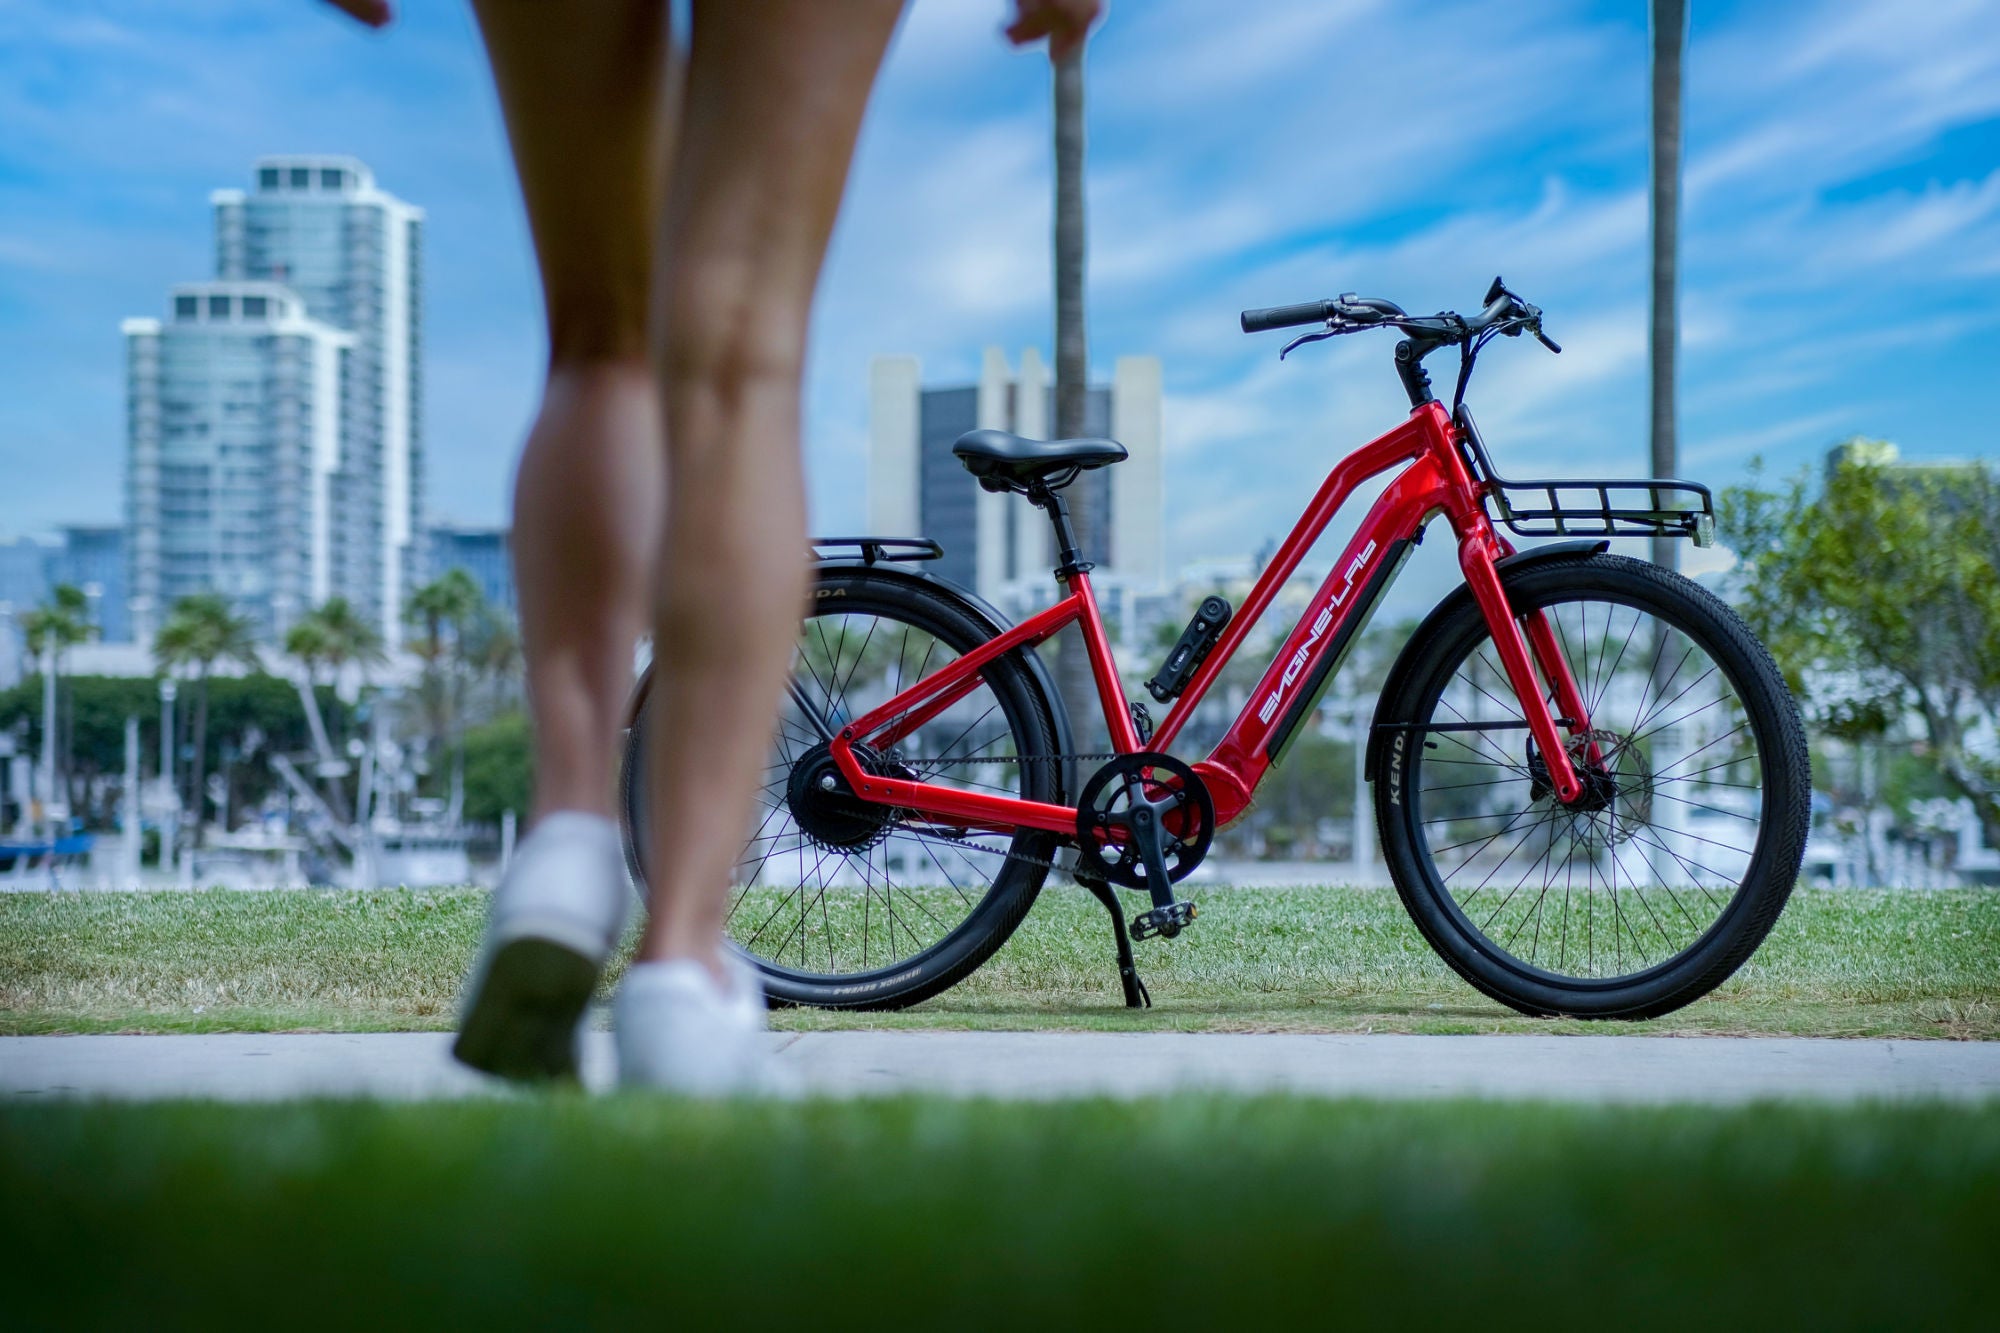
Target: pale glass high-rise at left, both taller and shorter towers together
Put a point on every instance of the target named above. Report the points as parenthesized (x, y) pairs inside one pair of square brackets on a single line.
[(307, 355)]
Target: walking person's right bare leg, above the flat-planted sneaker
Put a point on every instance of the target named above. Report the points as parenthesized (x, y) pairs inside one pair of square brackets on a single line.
[(773, 107)]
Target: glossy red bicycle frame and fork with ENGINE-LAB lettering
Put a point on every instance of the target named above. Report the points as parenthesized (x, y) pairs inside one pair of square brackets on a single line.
[(1435, 481)]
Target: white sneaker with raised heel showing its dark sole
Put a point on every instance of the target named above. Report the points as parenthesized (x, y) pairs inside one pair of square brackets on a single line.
[(555, 920)]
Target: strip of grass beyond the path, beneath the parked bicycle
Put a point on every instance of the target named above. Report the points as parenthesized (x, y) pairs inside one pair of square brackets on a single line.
[(1841, 964)]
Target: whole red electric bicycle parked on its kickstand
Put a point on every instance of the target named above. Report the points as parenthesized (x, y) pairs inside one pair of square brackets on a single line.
[(1591, 782)]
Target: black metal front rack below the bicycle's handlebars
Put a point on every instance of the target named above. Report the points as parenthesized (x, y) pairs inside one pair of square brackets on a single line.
[(1593, 507)]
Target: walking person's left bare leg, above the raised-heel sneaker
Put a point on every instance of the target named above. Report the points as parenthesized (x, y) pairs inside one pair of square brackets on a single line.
[(587, 113)]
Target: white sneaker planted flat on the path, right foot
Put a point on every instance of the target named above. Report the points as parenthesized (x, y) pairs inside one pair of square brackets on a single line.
[(681, 1032)]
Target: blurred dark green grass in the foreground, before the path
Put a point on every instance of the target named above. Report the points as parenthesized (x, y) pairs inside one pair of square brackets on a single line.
[(1185, 1212)]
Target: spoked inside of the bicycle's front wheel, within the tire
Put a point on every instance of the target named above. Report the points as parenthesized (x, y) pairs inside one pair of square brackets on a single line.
[(1621, 882)]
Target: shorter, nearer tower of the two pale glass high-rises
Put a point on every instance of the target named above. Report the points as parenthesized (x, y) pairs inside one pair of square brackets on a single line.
[(235, 433)]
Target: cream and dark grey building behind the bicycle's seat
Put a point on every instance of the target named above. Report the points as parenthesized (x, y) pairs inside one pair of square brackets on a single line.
[(995, 543)]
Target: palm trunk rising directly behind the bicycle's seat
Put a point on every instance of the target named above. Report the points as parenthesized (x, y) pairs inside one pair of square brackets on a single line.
[(1073, 361)]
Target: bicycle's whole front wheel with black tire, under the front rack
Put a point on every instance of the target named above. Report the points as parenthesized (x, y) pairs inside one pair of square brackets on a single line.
[(1623, 854)]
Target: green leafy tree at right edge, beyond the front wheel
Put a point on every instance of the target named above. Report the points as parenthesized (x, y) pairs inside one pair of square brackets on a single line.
[(1877, 591)]
